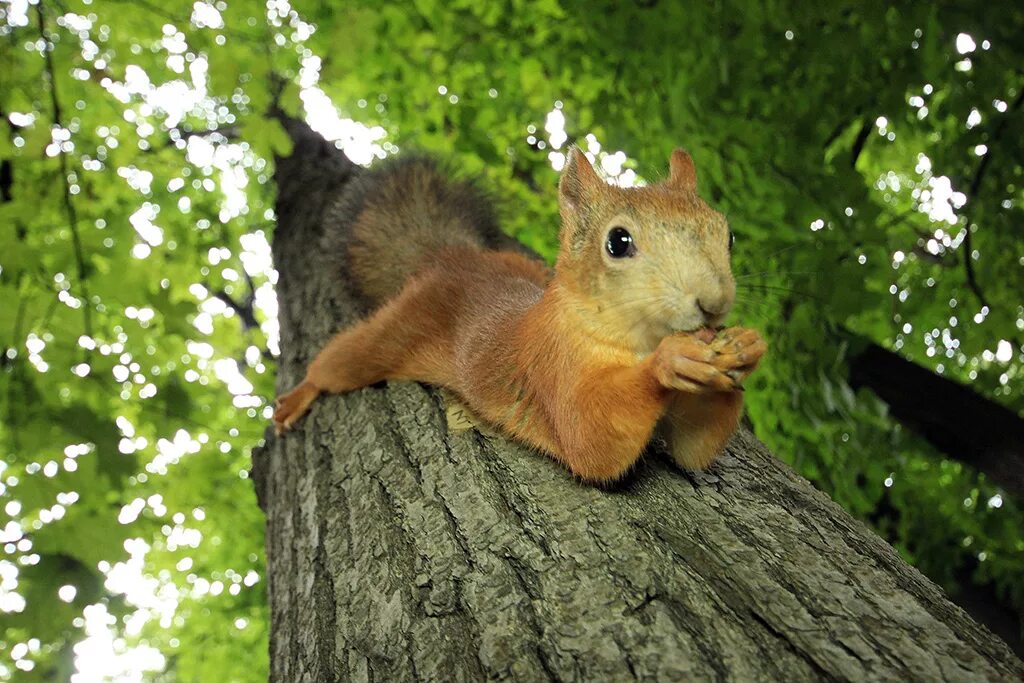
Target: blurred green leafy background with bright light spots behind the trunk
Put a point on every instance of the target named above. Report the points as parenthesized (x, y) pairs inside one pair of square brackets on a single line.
[(870, 161)]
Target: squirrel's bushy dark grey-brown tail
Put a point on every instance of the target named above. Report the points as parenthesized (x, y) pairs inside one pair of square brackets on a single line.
[(401, 212)]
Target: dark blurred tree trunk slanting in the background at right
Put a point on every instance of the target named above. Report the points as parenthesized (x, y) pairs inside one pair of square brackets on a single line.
[(955, 419)]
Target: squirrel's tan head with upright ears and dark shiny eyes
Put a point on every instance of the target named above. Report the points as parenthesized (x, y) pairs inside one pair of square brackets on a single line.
[(647, 262)]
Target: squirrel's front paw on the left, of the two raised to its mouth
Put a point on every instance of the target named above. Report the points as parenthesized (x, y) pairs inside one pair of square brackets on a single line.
[(688, 364)]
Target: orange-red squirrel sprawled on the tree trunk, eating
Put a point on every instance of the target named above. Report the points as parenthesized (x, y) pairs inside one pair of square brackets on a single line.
[(588, 363)]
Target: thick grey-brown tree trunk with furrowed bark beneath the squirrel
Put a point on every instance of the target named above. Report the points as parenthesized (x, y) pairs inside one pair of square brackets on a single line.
[(400, 550)]
